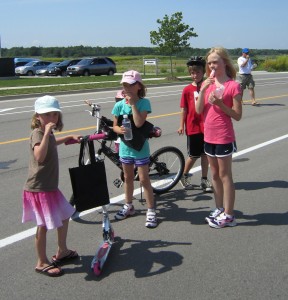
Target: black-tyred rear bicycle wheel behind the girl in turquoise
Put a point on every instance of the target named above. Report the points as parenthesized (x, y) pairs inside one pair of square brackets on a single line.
[(166, 168)]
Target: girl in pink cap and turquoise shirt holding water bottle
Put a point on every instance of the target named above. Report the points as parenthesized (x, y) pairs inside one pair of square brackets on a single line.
[(137, 107)]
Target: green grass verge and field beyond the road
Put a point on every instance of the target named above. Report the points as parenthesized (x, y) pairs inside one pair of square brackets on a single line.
[(28, 85)]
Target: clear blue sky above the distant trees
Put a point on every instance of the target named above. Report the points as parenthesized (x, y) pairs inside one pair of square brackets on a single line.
[(255, 24)]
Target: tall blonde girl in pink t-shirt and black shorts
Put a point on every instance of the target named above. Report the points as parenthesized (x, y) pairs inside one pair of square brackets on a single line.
[(220, 100)]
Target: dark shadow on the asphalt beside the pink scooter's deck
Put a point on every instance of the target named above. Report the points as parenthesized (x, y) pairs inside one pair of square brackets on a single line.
[(137, 257)]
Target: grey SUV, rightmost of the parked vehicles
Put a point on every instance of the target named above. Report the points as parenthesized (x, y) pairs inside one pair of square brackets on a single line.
[(93, 66)]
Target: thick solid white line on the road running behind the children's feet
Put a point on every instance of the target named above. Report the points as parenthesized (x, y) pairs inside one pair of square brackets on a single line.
[(30, 232)]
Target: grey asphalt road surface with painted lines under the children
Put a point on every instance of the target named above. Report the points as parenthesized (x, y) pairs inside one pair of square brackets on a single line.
[(182, 258)]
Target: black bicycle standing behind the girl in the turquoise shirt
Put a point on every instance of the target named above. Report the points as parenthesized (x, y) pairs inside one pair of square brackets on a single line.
[(166, 164)]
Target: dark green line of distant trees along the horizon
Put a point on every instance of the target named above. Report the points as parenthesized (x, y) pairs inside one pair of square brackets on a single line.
[(84, 51)]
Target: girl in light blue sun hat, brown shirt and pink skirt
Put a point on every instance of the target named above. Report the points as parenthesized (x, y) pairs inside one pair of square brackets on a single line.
[(43, 202)]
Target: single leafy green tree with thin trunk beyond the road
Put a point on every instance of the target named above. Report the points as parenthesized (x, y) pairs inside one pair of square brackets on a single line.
[(172, 36)]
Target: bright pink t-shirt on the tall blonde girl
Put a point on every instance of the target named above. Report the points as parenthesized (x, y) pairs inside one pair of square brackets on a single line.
[(218, 127)]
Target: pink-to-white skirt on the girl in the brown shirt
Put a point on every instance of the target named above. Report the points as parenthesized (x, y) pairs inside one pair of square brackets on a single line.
[(46, 208)]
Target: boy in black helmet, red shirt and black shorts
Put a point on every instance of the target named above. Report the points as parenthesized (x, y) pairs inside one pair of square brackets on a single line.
[(192, 124)]
